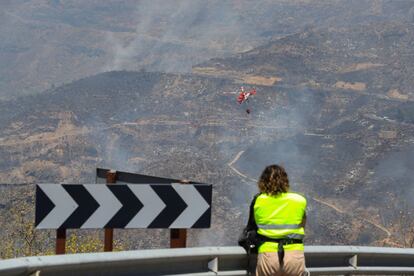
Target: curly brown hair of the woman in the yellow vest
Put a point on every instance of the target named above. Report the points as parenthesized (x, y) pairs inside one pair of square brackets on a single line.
[(274, 180)]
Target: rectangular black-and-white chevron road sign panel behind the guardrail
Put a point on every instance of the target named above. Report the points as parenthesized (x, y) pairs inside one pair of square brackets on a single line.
[(64, 206)]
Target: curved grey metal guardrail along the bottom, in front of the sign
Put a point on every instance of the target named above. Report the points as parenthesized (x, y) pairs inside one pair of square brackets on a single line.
[(320, 260)]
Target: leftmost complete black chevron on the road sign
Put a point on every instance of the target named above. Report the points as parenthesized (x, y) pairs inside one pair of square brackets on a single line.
[(87, 206)]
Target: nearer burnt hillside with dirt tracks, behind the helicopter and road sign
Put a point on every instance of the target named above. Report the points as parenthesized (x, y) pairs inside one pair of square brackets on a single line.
[(333, 106)]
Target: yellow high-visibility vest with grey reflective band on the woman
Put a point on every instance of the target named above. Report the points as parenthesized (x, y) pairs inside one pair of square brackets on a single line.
[(280, 216)]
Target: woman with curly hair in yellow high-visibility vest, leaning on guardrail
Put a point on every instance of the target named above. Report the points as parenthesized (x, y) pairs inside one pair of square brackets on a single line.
[(280, 217)]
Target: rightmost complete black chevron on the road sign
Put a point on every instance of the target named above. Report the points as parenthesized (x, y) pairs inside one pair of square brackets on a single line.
[(175, 205)]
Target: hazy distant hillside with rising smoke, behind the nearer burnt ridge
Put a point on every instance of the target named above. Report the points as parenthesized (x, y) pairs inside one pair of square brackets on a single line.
[(47, 43)]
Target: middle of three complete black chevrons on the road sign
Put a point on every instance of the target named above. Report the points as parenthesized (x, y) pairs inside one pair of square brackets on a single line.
[(130, 206)]
